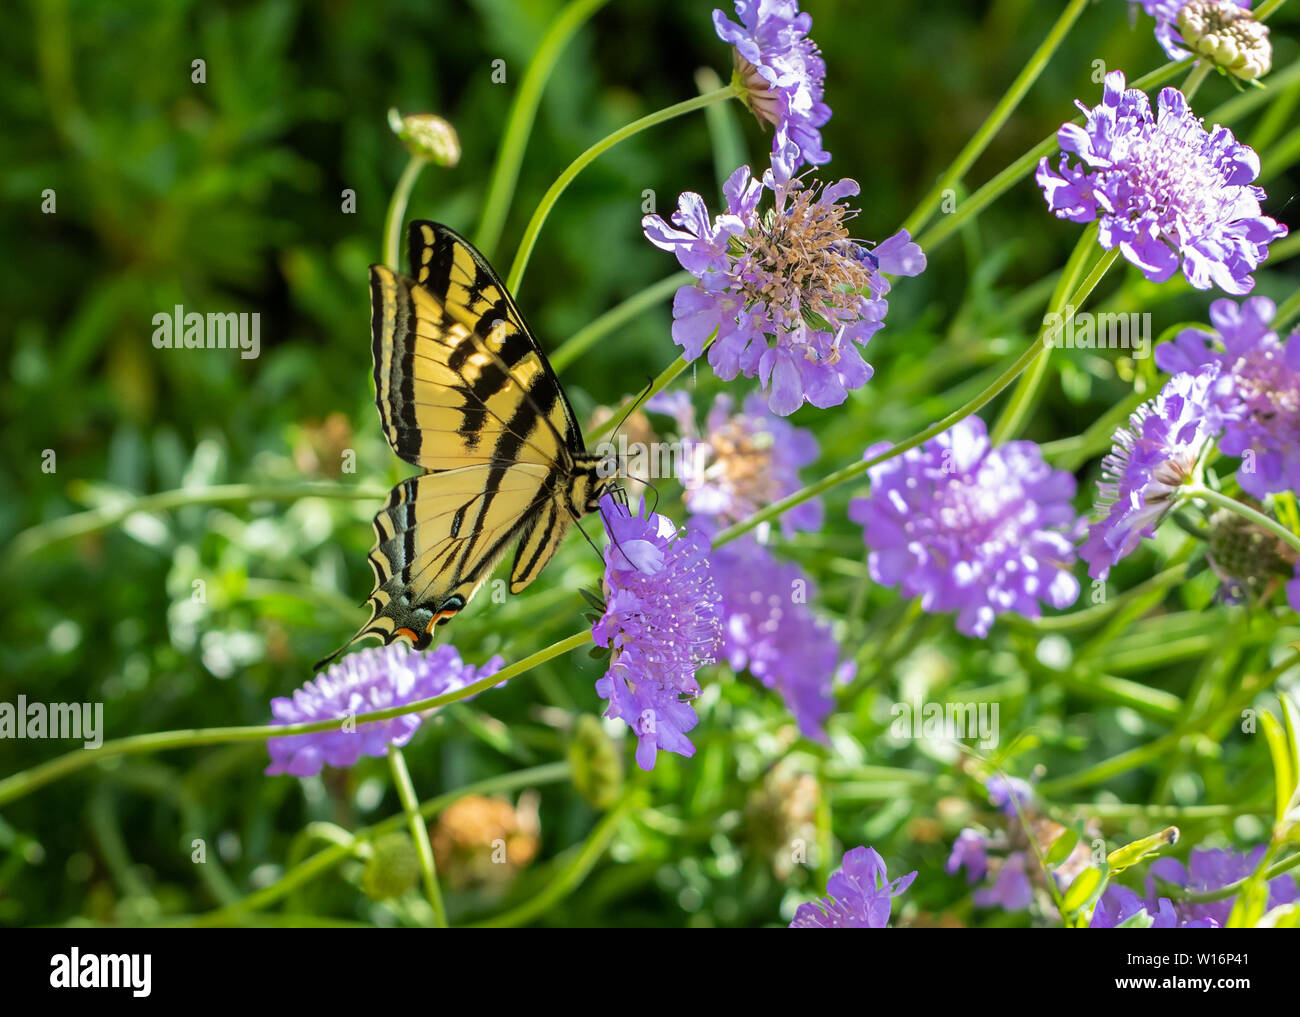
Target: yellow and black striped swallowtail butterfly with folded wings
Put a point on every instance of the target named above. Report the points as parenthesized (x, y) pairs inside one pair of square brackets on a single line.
[(466, 393)]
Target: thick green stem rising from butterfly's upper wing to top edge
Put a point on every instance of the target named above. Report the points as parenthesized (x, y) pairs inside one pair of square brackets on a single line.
[(523, 114)]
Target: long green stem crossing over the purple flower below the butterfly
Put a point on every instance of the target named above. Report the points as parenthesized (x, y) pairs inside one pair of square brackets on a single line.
[(28, 781)]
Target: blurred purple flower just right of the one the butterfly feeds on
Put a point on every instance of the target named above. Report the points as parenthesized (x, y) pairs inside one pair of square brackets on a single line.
[(769, 629)]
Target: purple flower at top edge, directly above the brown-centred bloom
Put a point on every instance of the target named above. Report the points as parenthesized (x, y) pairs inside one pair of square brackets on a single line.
[(781, 70)]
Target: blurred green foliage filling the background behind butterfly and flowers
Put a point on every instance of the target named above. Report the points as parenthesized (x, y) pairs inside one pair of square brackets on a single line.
[(227, 196)]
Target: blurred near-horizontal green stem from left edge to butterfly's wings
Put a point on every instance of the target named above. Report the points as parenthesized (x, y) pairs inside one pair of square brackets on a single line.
[(81, 525)]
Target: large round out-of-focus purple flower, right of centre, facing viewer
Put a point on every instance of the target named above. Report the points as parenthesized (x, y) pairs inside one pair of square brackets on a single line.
[(972, 529)]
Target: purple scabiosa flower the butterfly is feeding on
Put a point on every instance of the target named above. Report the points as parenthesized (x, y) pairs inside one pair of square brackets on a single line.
[(662, 622)]
